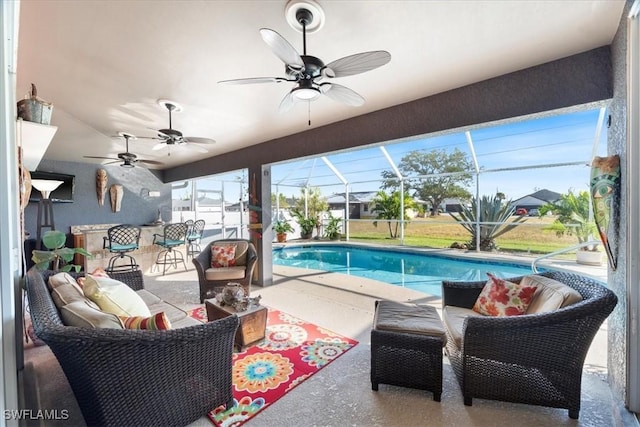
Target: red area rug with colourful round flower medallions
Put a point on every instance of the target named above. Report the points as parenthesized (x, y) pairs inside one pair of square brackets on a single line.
[(292, 351)]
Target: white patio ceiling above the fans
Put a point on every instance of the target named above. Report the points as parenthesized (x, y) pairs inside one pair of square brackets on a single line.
[(104, 64)]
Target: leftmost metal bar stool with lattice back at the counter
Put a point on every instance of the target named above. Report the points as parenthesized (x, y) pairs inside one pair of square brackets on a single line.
[(120, 240)]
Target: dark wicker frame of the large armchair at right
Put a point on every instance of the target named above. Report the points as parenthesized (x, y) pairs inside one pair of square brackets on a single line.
[(534, 359)]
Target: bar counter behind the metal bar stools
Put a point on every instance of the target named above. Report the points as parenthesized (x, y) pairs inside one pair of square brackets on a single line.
[(91, 238)]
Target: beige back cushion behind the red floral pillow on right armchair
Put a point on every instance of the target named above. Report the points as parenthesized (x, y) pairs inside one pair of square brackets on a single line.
[(550, 294)]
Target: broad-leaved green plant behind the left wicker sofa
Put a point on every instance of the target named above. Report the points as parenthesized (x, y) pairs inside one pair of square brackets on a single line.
[(58, 256)]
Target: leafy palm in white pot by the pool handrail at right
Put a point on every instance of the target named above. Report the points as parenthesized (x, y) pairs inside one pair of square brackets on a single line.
[(573, 218)]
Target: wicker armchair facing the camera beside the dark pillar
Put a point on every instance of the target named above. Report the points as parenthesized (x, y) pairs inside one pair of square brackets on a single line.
[(212, 280)]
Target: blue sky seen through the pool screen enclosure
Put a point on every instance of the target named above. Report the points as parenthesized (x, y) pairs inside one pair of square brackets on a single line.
[(552, 140)]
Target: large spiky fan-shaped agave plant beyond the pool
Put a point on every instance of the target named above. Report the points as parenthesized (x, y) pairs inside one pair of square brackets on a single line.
[(495, 220)]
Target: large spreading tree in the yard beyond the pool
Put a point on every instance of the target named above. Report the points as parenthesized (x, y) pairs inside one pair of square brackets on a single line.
[(434, 189)]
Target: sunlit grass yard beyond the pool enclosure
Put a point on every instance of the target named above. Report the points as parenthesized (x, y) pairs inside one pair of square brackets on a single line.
[(442, 231)]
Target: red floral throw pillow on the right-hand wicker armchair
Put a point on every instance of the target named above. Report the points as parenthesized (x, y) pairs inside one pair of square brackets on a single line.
[(500, 297)]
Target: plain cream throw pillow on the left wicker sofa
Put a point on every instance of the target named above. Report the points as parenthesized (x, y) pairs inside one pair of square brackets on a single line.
[(114, 297)]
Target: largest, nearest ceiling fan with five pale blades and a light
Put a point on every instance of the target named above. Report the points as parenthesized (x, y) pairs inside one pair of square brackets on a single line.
[(308, 72)]
